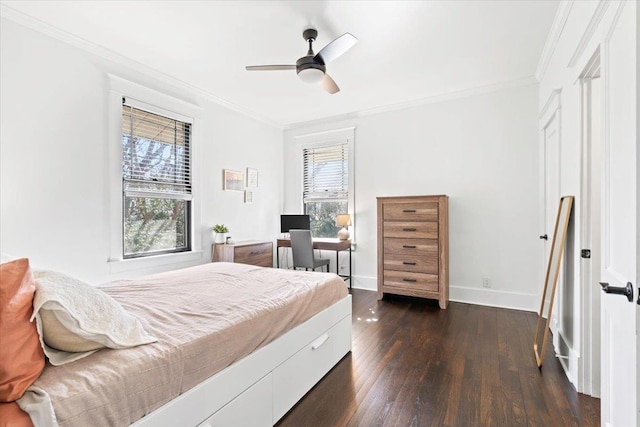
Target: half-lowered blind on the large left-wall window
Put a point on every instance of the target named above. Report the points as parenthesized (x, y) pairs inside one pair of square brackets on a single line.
[(155, 155)]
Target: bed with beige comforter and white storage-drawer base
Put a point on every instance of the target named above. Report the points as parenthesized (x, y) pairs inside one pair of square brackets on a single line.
[(236, 345)]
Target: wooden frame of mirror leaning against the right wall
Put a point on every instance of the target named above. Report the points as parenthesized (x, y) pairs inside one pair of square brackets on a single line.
[(553, 270)]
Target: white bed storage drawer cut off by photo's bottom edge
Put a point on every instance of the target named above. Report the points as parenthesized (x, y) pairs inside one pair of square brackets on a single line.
[(235, 413)]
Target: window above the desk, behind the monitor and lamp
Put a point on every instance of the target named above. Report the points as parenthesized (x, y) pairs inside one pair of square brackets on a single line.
[(325, 186)]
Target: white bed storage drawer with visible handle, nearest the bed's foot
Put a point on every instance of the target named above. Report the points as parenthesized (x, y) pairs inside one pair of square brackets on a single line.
[(298, 374)]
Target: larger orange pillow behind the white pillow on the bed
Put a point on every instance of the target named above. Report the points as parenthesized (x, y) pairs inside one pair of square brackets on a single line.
[(21, 355)]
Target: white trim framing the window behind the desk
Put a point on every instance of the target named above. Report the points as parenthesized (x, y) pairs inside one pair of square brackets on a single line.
[(324, 139)]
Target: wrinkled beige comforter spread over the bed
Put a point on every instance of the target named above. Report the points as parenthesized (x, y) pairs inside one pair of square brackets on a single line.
[(204, 317)]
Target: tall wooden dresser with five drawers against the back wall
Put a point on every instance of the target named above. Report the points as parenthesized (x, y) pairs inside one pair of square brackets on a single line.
[(413, 247)]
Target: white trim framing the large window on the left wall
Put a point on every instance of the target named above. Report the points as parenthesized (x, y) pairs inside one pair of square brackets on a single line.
[(162, 104)]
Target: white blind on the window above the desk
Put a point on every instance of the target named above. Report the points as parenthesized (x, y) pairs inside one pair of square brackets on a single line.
[(326, 173)]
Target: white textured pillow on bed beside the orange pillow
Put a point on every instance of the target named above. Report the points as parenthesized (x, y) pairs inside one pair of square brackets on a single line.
[(76, 319)]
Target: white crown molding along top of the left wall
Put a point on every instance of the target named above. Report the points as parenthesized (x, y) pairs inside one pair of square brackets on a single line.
[(111, 56)]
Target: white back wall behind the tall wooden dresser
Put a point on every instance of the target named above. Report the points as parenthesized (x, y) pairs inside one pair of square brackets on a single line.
[(482, 152)]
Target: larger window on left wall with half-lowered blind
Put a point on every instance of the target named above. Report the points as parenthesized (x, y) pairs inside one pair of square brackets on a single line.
[(156, 183)]
